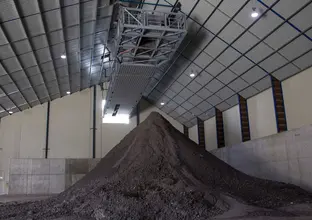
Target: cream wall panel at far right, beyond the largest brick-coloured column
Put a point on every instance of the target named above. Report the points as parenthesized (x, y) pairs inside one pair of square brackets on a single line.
[(297, 92)]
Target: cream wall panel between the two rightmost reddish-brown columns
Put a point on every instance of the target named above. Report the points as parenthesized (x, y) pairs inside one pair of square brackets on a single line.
[(261, 114)]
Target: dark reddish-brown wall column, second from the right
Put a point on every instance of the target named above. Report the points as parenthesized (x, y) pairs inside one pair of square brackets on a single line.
[(243, 111)]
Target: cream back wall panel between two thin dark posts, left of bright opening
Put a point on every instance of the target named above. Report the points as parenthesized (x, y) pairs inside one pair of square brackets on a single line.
[(70, 126)]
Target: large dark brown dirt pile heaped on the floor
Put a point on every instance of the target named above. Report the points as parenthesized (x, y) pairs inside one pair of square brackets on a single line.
[(155, 172)]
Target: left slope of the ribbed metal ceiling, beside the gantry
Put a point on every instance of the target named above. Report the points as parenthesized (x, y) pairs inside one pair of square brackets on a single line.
[(33, 36)]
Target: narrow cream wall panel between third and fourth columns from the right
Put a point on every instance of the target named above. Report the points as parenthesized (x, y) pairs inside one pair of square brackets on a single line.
[(210, 134)]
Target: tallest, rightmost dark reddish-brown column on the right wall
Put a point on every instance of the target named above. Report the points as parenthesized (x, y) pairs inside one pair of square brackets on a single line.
[(278, 98)]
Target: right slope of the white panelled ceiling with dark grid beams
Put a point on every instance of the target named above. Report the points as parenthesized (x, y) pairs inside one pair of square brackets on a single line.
[(231, 53)]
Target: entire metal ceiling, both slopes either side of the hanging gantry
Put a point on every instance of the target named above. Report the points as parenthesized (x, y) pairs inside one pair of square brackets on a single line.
[(230, 52)]
